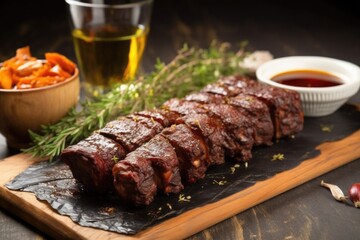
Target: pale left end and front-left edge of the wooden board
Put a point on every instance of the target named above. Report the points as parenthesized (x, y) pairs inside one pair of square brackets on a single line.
[(39, 213)]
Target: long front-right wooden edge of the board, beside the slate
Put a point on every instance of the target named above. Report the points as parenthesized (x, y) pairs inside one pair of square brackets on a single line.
[(260, 192)]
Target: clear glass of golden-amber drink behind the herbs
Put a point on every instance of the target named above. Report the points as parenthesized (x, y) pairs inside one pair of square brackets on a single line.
[(109, 40)]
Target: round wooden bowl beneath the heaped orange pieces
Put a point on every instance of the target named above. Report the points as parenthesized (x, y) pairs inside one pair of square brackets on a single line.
[(28, 109)]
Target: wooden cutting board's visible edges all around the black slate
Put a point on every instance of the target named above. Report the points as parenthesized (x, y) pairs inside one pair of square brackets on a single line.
[(42, 216)]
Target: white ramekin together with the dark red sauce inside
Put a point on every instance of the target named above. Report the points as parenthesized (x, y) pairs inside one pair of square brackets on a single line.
[(324, 84)]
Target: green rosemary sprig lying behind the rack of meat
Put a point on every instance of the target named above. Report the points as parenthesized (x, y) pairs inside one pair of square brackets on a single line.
[(189, 71)]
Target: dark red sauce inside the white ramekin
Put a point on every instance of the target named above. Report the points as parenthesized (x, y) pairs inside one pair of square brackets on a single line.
[(307, 78)]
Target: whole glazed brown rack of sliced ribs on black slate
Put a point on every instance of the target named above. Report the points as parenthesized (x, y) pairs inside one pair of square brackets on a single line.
[(161, 150)]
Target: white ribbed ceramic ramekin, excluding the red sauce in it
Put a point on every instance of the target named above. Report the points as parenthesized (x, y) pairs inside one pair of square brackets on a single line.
[(316, 101)]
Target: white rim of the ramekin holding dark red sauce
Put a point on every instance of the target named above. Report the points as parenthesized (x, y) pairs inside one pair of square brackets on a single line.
[(355, 83)]
